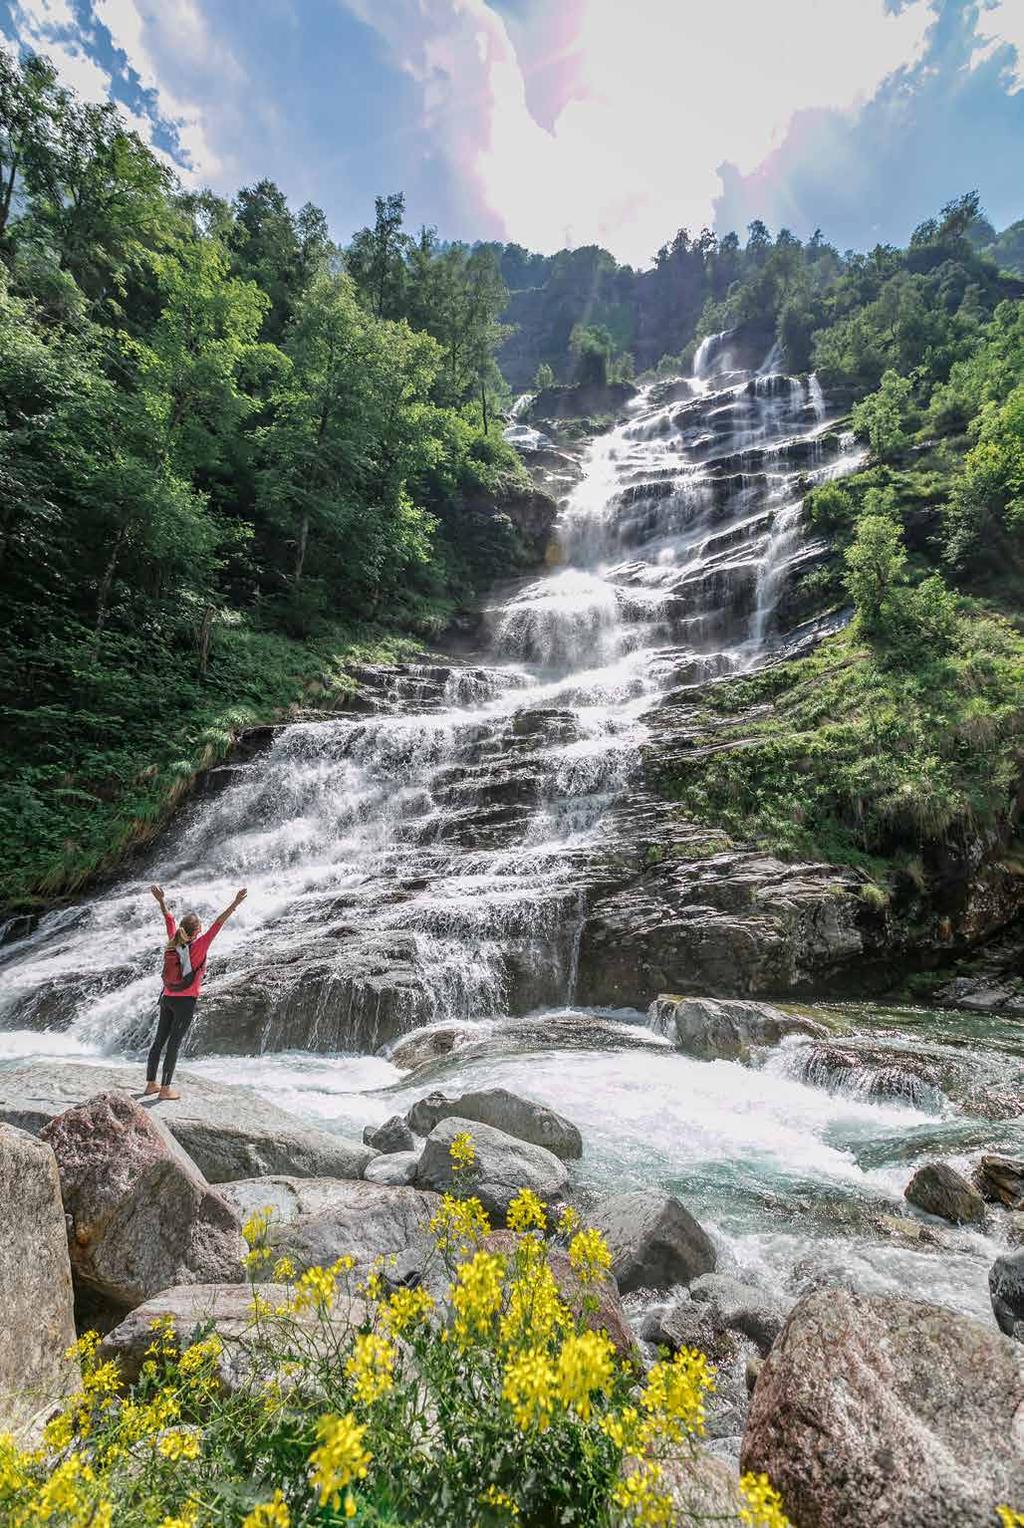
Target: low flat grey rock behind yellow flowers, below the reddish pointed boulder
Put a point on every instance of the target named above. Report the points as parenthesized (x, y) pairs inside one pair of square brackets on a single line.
[(195, 1309)]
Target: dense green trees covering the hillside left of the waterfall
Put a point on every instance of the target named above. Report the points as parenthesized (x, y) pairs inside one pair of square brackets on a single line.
[(232, 459)]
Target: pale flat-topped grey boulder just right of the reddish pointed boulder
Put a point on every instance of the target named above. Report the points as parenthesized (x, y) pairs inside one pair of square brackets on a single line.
[(319, 1220)]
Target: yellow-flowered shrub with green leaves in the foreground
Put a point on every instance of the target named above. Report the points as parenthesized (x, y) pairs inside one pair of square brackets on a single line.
[(355, 1400)]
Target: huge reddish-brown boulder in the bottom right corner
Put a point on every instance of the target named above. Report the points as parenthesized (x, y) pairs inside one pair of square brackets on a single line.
[(880, 1413)]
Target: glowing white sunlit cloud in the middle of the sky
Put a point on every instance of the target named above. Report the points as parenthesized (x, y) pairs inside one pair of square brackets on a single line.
[(666, 91)]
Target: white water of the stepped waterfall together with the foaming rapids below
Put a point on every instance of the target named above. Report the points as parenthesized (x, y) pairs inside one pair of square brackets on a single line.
[(432, 859)]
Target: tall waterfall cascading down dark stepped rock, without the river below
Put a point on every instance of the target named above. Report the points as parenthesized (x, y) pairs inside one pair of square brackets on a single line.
[(432, 858)]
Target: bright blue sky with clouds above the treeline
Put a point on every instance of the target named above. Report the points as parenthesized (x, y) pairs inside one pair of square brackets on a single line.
[(562, 123)]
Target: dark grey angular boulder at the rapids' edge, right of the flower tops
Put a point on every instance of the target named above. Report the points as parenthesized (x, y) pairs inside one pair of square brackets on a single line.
[(655, 1241)]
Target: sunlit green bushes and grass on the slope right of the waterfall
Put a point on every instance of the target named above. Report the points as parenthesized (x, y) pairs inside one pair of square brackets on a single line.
[(901, 739)]
